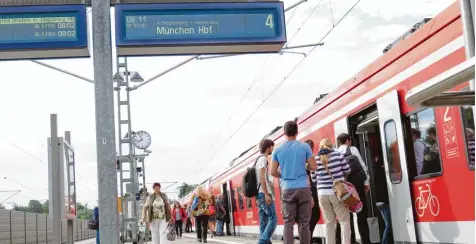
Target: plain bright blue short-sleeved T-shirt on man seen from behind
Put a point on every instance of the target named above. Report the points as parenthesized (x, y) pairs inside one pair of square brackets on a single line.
[(292, 157)]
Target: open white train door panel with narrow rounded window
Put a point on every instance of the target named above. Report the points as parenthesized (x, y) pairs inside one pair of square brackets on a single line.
[(401, 207)]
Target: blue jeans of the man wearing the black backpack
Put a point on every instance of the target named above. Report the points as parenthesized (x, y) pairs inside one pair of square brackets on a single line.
[(267, 219)]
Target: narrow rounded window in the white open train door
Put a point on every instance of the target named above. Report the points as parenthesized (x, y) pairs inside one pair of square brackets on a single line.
[(393, 152)]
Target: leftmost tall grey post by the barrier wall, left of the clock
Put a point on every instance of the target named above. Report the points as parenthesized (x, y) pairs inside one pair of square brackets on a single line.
[(55, 201)]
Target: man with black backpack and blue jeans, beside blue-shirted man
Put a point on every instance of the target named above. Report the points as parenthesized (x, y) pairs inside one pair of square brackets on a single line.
[(260, 185)]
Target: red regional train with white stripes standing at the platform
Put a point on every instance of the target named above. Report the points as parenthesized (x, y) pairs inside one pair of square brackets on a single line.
[(436, 206)]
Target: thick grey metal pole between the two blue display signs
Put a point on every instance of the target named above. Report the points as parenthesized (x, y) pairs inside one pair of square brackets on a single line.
[(105, 131)]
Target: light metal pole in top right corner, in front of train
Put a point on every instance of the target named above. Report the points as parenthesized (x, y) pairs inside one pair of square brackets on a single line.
[(468, 32)]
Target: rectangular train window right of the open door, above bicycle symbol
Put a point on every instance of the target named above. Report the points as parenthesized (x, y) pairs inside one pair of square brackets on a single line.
[(425, 143)]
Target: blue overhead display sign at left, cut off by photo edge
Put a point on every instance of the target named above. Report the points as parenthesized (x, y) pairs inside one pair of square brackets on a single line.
[(43, 32)]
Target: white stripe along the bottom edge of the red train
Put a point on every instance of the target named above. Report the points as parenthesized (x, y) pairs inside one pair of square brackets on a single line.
[(429, 232)]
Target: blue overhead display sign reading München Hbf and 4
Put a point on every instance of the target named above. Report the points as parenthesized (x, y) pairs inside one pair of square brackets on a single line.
[(199, 28)]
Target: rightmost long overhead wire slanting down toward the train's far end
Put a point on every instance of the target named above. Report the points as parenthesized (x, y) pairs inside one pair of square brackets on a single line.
[(280, 83)]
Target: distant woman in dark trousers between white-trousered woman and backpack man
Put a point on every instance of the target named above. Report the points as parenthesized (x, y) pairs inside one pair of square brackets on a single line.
[(201, 213)]
